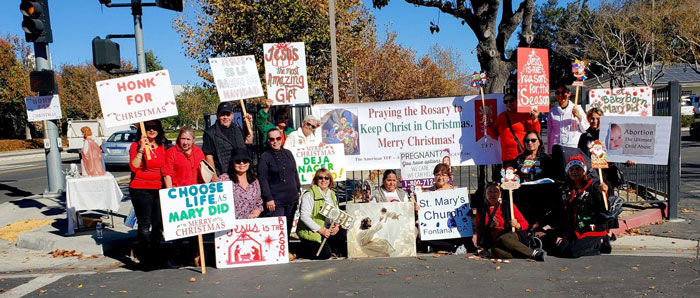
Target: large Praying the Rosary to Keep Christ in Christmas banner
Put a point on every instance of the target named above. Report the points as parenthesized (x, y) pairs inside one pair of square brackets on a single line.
[(374, 133)]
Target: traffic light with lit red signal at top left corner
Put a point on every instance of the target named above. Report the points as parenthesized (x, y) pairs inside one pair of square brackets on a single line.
[(35, 22)]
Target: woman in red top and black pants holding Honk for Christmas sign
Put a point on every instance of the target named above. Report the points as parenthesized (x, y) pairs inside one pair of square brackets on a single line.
[(146, 180)]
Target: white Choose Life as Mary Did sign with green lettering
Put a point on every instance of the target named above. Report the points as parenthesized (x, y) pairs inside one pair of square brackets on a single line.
[(197, 209)]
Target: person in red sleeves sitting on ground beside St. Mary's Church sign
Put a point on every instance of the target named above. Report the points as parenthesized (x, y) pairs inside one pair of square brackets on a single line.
[(495, 232)]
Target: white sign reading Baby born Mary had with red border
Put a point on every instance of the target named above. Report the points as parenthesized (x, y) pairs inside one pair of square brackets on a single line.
[(631, 101)]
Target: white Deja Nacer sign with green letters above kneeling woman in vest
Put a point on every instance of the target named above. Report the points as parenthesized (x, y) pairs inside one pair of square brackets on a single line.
[(310, 159)]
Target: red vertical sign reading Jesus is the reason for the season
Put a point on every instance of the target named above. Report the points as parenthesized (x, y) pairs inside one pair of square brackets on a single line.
[(533, 80)]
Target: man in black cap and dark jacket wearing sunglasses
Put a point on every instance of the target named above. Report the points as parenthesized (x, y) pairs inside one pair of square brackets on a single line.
[(224, 139)]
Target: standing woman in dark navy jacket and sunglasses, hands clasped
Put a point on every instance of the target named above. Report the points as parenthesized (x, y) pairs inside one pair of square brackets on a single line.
[(279, 179)]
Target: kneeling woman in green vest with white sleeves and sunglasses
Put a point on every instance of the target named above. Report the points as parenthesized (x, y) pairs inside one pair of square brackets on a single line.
[(314, 227)]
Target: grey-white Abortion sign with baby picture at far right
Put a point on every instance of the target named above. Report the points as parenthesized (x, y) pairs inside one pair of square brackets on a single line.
[(641, 139)]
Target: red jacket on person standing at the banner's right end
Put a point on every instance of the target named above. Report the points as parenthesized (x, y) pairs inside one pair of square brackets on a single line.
[(521, 122)]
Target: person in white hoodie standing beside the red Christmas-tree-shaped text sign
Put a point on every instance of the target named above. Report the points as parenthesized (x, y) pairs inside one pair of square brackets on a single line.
[(565, 122)]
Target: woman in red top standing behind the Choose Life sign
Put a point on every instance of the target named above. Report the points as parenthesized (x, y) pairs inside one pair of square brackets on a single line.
[(181, 164)]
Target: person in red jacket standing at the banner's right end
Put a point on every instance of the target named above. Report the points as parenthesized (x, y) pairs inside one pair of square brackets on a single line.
[(510, 127)]
